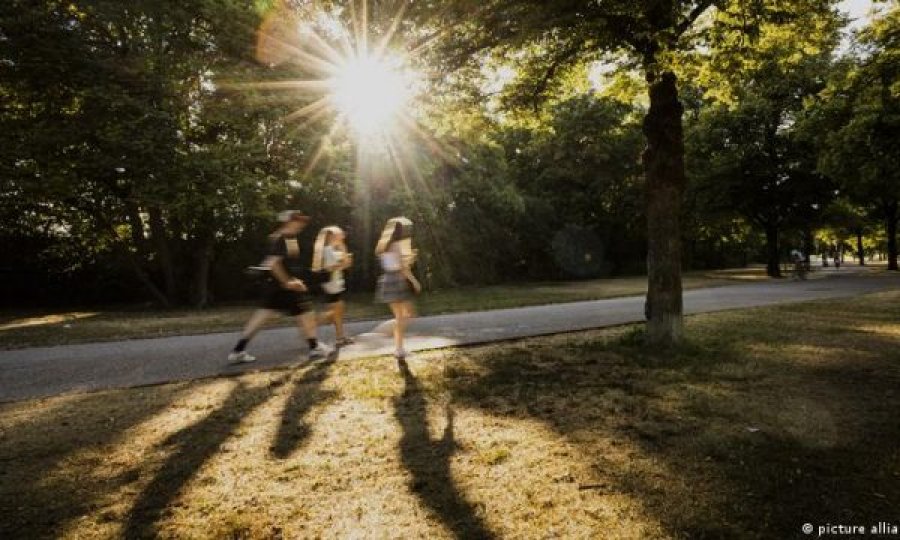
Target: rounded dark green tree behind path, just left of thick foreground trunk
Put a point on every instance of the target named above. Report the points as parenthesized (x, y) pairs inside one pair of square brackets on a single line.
[(578, 169)]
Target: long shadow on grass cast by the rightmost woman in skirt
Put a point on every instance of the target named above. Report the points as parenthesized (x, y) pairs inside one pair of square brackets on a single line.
[(429, 462)]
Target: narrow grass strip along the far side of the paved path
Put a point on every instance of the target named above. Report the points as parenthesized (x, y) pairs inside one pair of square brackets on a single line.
[(19, 329)]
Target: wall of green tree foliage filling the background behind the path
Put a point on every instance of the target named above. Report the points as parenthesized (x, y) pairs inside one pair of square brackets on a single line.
[(135, 162)]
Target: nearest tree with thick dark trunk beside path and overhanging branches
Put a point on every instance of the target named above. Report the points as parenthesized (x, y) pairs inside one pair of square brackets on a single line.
[(548, 40)]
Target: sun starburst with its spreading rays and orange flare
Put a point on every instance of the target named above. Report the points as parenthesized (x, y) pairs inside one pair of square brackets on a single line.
[(369, 84)]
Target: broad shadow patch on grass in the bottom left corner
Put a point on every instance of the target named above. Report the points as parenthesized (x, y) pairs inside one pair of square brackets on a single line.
[(40, 491)]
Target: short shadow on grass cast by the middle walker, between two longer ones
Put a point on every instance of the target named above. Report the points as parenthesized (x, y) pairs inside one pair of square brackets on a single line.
[(293, 430)]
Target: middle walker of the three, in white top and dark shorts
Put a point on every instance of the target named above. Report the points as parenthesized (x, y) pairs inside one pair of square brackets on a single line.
[(330, 255)]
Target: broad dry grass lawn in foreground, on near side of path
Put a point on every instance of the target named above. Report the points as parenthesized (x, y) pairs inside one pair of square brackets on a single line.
[(765, 420)]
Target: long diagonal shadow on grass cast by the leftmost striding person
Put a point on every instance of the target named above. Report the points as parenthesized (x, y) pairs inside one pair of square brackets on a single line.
[(191, 448)]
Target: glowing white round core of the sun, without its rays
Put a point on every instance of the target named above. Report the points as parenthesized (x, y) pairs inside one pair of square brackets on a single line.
[(371, 93)]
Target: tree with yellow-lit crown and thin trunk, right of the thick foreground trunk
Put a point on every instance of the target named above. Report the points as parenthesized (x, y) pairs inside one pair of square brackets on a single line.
[(749, 151)]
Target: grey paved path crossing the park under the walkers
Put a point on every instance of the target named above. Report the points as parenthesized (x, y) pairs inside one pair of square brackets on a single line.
[(47, 371)]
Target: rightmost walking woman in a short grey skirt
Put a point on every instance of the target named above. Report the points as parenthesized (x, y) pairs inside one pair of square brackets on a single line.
[(397, 282)]
